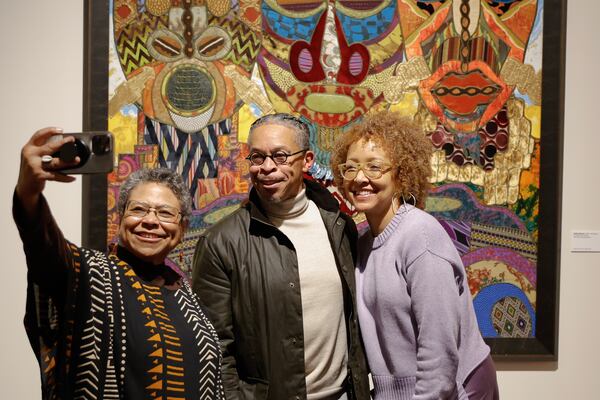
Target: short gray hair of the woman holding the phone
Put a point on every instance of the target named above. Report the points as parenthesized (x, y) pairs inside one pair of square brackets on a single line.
[(163, 176)]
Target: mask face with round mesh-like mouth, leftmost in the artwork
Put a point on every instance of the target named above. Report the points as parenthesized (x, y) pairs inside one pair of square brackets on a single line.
[(174, 54)]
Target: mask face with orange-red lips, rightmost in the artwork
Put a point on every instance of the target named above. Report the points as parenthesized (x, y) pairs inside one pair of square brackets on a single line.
[(467, 45)]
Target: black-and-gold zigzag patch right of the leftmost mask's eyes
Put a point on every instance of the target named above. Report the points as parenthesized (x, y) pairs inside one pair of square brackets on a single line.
[(245, 44)]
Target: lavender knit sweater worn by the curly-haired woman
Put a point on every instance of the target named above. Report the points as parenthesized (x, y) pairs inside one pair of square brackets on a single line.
[(415, 311)]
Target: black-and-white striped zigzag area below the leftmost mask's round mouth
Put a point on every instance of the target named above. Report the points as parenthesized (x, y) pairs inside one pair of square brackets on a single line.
[(193, 155)]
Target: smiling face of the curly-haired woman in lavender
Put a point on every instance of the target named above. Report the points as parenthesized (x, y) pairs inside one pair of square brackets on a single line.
[(374, 197)]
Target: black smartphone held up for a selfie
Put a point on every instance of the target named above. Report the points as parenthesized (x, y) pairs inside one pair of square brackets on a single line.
[(94, 149)]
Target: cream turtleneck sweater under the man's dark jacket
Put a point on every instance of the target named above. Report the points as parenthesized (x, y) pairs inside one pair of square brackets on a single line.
[(325, 344)]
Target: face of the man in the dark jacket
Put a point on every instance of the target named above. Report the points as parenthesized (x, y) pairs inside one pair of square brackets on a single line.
[(273, 182)]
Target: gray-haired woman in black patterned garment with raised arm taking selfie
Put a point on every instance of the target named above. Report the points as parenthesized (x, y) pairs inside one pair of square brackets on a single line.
[(118, 325)]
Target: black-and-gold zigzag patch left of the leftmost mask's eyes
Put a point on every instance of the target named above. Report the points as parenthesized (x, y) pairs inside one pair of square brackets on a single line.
[(131, 42)]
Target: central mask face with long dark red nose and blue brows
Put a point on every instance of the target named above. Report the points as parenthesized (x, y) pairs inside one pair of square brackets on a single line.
[(328, 60)]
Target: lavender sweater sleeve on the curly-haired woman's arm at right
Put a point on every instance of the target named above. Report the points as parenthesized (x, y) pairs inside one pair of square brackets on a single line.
[(435, 308)]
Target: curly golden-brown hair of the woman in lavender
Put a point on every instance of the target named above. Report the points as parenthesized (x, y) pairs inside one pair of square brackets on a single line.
[(404, 143)]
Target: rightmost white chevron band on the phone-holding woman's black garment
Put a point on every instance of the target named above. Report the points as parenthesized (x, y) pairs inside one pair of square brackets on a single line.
[(207, 340)]
